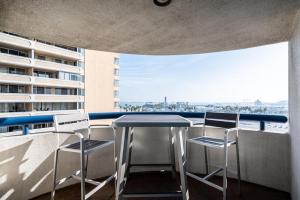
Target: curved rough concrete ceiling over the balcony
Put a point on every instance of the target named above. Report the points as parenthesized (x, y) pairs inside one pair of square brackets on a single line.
[(140, 27)]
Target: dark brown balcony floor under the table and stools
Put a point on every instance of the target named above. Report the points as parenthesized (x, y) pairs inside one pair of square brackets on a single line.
[(159, 182)]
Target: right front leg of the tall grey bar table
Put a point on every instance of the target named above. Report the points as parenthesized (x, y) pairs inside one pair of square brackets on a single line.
[(182, 160)]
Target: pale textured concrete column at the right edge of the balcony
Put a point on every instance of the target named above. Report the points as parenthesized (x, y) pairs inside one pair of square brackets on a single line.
[(294, 108)]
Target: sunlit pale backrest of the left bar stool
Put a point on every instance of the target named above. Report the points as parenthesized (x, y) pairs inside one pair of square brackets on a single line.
[(71, 122)]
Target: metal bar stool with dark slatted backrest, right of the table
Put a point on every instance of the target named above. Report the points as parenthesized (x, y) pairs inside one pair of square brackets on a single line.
[(228, 122)]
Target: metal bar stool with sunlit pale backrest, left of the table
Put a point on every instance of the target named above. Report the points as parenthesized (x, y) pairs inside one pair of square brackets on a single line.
[(78, 125)]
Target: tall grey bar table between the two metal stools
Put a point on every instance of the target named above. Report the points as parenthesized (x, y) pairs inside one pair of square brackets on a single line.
[(178, 126)]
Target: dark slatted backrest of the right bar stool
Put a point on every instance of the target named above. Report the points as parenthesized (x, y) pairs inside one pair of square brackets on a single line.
[(221, 120)]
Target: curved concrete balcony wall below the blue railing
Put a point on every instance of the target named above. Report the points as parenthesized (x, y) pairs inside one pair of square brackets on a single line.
[(26, 161)]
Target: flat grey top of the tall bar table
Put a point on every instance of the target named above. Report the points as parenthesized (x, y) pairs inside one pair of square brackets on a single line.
[(152, 121)]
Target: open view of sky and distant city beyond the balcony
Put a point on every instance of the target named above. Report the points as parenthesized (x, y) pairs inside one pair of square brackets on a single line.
[(248, 81)]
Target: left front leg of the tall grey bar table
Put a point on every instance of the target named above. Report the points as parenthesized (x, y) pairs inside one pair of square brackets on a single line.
[(122, 162)]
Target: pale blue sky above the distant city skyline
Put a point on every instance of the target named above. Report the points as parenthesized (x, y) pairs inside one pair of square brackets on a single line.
[(221, 77)]
